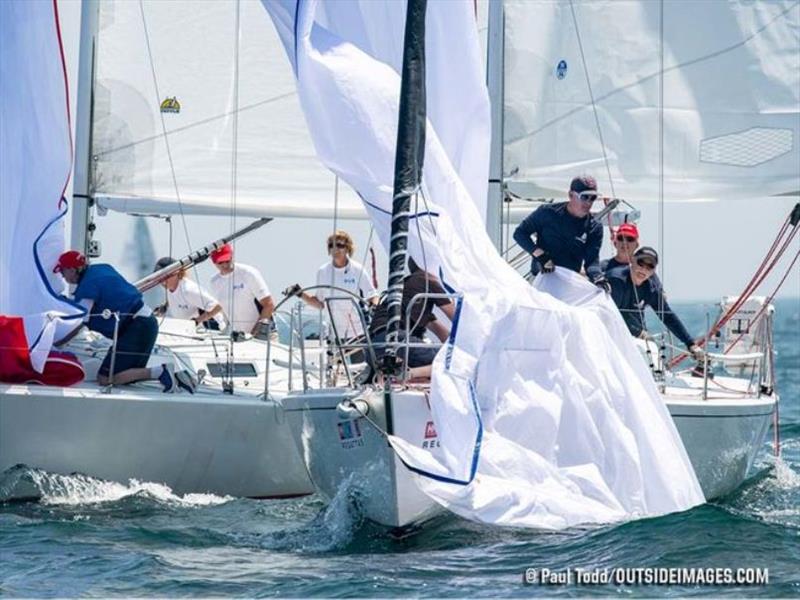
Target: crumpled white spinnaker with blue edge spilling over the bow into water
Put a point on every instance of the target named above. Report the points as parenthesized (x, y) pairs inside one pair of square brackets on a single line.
[(573, 429)]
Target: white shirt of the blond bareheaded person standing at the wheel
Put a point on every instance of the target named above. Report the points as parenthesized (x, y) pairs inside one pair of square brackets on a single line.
[(353, 278)]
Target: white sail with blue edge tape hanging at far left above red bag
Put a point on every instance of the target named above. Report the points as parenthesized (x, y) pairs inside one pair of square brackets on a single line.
[(35, 162)]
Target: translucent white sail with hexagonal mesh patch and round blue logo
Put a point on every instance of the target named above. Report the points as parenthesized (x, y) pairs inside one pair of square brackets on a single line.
[(731, 96)]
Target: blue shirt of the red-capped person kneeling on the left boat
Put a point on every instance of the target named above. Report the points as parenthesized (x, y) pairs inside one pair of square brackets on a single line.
[(104, 286)]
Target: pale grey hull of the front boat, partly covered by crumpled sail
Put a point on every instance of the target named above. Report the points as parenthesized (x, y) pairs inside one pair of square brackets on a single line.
[(721, 436)]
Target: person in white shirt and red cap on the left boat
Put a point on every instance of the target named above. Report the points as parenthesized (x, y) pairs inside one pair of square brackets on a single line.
[(243, 294)]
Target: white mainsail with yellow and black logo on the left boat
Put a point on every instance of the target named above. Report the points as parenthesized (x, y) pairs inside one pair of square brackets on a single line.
[(146, 158)]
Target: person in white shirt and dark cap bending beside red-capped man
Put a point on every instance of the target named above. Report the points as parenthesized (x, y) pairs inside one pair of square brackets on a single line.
[(187, 300)]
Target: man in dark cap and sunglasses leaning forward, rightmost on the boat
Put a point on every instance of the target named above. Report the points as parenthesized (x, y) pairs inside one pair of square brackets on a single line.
[(634, 286)]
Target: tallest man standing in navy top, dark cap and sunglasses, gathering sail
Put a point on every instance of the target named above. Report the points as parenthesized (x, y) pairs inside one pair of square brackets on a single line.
[(566, 234)]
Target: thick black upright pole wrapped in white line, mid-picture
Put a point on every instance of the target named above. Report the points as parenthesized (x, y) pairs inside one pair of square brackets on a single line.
[(409, 157)]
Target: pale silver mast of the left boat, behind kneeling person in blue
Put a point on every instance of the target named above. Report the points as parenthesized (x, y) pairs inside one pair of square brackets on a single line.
[(80, 235)]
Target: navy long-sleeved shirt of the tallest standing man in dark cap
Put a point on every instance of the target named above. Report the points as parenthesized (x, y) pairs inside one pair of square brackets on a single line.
[(572, 242)]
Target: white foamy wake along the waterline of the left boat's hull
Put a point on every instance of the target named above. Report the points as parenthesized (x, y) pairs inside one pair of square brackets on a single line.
[(21, 483)]
